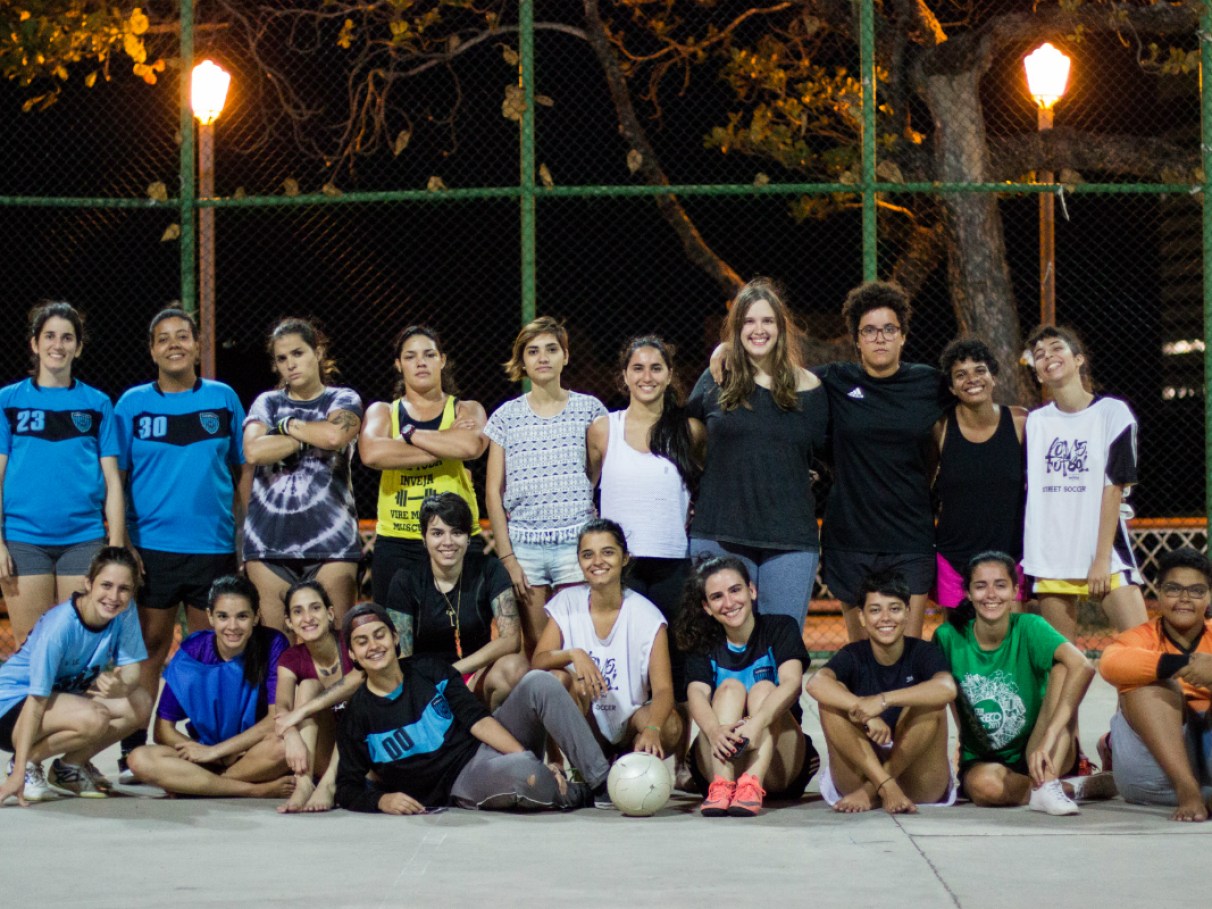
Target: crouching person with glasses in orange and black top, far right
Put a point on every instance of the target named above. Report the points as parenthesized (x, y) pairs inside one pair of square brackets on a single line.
[(1163, 668)]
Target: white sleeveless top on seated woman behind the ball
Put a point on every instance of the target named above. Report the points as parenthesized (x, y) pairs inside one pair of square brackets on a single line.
[(622, 658)]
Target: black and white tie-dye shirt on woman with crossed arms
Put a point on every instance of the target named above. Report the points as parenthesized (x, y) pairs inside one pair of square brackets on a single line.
[(304, 507)]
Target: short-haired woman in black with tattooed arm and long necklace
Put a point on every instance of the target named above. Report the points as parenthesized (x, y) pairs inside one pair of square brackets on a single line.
[(448, 608)]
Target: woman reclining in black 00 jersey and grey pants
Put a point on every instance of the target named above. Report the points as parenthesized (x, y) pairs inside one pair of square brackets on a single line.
[(415, 739)]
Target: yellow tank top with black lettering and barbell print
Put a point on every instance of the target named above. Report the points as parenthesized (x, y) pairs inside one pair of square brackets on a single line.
[(403, 491)]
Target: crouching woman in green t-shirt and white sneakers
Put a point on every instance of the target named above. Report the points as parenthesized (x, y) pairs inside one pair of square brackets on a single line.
[(1020, 688)]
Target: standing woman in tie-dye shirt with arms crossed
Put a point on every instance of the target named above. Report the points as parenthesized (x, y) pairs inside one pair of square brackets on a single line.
[(302, 522)]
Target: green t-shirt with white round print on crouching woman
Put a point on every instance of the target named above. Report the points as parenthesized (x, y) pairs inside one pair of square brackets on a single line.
[(1002, 691)]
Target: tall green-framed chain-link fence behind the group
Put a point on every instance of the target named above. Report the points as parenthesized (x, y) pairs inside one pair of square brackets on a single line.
[(368, 165)]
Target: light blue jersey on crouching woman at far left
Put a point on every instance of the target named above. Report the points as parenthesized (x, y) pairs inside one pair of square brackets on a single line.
[(62, 654)]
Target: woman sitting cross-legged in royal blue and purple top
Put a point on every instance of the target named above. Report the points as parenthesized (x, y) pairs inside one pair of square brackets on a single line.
[(224, 685)]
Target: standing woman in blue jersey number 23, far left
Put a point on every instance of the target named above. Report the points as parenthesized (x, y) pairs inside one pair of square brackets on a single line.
[(55, 427)]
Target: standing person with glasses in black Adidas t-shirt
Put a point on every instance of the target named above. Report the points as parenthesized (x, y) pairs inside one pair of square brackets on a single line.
[(883, 415)]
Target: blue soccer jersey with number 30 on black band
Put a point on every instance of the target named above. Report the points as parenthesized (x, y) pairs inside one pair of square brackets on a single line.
[(179, 451)]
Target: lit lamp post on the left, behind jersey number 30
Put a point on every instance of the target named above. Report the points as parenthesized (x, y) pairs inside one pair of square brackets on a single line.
[(209, 87)]
